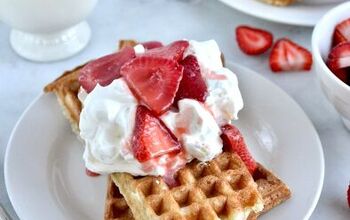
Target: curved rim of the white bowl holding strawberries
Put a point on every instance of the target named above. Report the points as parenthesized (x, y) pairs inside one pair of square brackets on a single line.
[(341, 8)]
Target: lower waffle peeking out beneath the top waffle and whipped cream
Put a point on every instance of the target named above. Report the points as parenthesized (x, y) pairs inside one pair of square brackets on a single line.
[(66, 88)]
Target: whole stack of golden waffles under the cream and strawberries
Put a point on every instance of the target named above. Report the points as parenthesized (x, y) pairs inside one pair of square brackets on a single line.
[(220, 189)]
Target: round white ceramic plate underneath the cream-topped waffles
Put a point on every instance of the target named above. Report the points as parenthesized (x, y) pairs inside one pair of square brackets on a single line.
[(44, 170)]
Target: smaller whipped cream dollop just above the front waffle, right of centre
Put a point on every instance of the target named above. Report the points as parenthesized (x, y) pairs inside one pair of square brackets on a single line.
[(196, 129)]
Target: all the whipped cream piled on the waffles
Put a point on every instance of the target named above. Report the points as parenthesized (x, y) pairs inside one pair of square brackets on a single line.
[(108, 117)]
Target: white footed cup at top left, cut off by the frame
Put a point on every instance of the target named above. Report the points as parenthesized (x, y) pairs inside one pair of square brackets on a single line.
[(47, 30)]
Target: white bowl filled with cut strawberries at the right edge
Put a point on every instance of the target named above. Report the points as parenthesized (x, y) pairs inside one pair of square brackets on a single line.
[(330, 48)]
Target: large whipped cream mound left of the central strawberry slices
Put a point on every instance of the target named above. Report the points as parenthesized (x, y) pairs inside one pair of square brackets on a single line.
[(106, 126)]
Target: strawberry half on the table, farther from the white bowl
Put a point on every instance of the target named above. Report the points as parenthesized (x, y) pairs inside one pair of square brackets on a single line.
[(253, 41)]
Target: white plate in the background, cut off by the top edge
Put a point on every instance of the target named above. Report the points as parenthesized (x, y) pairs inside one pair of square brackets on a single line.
[(302, 14)]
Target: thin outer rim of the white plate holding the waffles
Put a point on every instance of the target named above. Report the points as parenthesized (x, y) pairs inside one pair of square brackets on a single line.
[(230, 64)]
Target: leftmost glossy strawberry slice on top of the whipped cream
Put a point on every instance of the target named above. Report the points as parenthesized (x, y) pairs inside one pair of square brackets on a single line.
[(105, 69)]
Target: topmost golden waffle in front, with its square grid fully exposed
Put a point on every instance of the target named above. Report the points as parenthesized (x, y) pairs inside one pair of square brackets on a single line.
[(220, 189)]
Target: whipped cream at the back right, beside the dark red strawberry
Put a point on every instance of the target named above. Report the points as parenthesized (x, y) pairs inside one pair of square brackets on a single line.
[(224, 97)]
